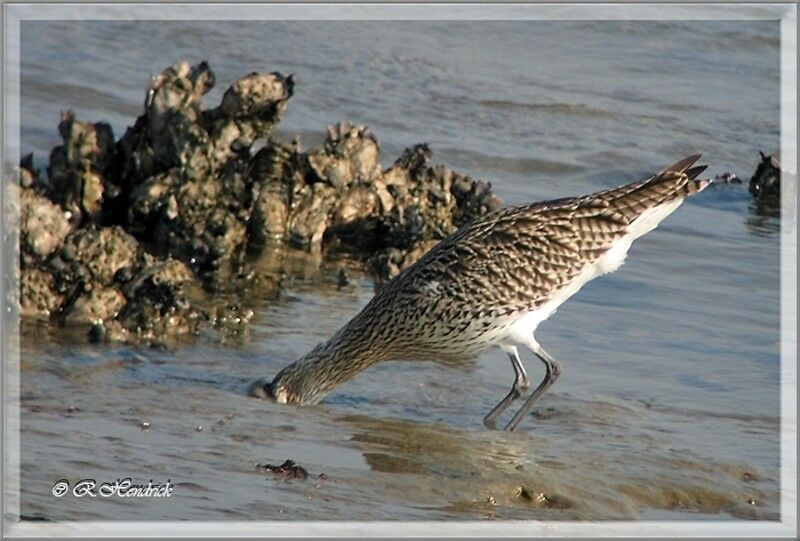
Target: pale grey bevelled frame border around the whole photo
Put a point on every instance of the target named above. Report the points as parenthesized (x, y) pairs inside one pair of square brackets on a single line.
[(786, 13)]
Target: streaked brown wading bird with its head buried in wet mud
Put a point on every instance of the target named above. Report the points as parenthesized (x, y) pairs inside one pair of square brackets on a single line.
[(490, 284)]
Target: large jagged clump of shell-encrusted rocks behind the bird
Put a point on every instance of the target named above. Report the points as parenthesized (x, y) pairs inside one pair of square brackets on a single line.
[(125, 236)]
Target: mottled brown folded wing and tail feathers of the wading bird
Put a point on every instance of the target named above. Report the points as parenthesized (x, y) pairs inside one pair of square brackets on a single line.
[(515, 259)]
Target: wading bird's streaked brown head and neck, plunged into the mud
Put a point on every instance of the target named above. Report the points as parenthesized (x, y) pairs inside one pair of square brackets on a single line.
[(309, 379)]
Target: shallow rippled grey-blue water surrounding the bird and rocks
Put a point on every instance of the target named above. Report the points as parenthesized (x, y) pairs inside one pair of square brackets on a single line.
[(668, 406)]
